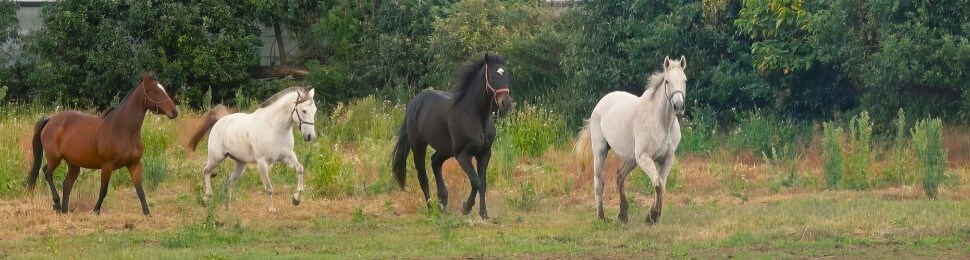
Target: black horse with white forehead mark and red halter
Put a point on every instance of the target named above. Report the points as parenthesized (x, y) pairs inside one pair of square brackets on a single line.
[(459, 125)]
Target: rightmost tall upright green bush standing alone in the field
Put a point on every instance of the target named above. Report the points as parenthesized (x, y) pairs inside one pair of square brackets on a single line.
[(930, 155)]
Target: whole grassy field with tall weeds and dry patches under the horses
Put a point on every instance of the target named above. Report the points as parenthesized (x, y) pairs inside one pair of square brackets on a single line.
[(722, 203)]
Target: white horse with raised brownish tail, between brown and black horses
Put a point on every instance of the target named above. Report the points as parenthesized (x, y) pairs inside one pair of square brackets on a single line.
[(263, 137)]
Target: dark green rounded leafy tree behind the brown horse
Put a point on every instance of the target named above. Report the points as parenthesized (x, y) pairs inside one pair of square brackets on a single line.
[(90, 51)]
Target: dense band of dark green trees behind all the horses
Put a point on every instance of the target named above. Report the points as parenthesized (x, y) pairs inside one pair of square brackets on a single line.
[(799, 59)]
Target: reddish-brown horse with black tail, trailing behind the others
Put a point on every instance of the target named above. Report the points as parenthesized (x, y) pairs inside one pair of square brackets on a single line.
[(108, 142)]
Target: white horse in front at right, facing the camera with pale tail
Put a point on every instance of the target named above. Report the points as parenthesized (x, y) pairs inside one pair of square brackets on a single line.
[(643, 130)]
